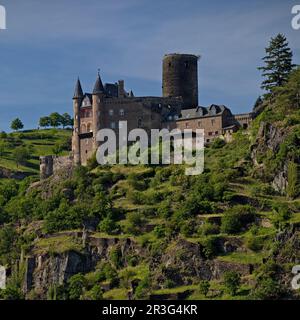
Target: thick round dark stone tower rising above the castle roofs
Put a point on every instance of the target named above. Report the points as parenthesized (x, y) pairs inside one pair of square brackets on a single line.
[(180, 78)]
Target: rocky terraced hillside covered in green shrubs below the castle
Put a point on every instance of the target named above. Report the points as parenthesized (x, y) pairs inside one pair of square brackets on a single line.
[(118, 232)]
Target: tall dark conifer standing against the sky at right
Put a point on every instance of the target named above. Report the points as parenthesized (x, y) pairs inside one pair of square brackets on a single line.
[(278, 63)]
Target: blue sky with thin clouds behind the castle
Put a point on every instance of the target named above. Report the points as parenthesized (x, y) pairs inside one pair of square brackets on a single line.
[(48, 44)]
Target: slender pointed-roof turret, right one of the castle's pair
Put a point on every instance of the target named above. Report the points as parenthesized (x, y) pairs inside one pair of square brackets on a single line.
[(98, 102)]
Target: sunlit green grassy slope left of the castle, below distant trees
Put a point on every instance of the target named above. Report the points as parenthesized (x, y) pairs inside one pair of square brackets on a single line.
[(41, 143)]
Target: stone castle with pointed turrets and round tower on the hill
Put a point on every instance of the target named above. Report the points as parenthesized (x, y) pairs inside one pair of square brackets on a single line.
[(177, 108)]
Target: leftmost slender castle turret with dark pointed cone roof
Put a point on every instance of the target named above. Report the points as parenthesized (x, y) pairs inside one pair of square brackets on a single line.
[(77, 100)]
